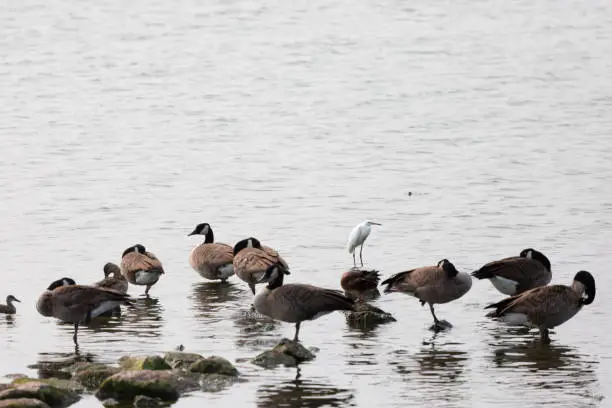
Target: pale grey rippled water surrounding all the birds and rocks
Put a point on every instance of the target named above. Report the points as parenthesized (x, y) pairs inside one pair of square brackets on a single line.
[(127, 122)]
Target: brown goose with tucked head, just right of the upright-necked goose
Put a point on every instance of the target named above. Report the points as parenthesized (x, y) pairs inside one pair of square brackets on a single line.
[(251, 260)]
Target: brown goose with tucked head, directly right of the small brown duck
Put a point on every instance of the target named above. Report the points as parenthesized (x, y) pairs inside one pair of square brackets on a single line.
[(140, 267)]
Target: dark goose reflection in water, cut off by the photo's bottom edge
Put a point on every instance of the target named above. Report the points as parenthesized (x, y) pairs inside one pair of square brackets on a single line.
[(309, 393)]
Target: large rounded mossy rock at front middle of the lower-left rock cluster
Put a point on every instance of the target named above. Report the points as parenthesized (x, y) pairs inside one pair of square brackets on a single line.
[(127, 385)]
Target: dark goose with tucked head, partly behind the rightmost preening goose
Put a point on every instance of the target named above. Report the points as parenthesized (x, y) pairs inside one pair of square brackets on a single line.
[(517, 274)]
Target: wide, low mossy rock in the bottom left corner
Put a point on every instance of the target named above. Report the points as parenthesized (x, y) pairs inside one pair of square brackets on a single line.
[(50, 394)]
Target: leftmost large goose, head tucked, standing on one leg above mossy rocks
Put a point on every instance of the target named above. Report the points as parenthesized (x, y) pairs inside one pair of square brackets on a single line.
[(72, 303)]
